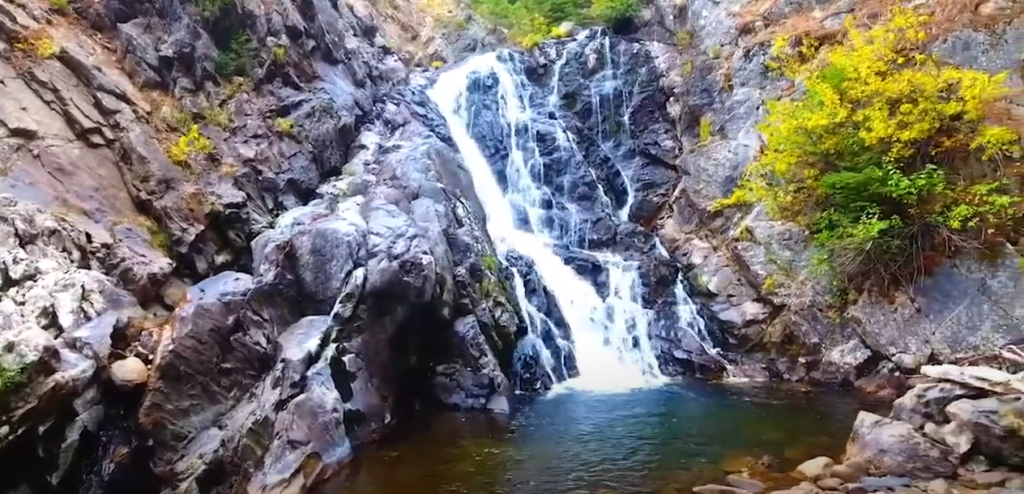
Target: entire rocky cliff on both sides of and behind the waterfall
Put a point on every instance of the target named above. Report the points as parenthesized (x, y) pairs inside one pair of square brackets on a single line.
[(234, 307)]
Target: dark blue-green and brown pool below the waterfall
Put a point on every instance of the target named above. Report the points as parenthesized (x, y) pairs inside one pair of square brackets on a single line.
[(651, 441)]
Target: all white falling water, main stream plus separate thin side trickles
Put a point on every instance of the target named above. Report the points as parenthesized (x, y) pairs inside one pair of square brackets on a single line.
[(610, 334)]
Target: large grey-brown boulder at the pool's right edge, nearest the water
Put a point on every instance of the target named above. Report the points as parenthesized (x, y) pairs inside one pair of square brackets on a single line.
[(897, 448)]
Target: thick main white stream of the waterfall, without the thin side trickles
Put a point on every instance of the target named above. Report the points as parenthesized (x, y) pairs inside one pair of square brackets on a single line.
[(604, 344)]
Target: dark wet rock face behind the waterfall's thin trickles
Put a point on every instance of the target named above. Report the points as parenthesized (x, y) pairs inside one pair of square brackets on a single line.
[(595, 182)]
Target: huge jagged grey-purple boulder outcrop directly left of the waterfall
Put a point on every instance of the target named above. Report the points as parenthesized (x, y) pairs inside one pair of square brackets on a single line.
[(367, 304)]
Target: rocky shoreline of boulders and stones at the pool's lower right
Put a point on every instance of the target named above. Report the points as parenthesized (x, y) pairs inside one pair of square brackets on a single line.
[(959, 431)]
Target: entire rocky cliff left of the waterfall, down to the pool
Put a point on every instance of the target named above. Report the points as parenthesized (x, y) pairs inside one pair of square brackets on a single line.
[(312, 272)]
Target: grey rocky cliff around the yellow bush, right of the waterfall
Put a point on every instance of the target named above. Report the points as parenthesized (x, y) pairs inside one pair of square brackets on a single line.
[(753, 273)]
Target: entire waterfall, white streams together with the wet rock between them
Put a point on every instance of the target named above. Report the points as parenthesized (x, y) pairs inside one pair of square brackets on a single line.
[(538, 222)]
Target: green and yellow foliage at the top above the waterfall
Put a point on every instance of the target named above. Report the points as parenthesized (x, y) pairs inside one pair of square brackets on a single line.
[(531, 22)]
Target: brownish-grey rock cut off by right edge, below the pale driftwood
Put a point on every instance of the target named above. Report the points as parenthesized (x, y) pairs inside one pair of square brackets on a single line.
[(995, 424)]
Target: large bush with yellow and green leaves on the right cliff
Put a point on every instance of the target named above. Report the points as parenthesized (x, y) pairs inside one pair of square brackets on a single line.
[(887, 157)]
